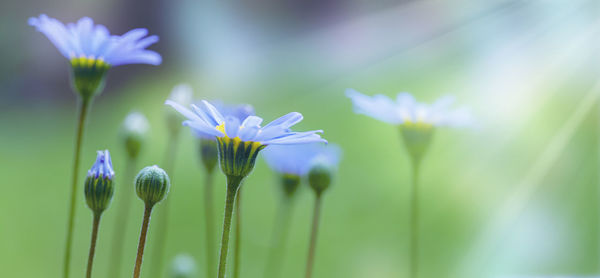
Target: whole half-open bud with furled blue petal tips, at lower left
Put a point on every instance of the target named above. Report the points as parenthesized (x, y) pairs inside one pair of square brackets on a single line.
[(98, 186)]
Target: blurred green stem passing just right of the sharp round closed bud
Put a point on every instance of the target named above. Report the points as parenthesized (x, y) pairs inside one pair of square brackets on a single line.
[(163, 216)]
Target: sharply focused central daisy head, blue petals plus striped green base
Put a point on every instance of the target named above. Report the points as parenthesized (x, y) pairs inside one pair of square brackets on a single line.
[(239, 141)]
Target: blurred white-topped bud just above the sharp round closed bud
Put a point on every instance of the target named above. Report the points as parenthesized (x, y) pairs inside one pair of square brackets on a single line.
[(133, 132)]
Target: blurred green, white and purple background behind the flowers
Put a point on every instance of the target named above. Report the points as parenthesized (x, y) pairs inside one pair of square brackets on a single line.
[(516, 195)]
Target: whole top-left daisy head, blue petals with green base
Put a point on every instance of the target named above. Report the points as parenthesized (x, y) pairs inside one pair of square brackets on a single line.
[(92, 50)]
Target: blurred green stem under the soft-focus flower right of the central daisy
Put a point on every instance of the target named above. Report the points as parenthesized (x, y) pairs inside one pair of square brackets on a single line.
[(278, 238)]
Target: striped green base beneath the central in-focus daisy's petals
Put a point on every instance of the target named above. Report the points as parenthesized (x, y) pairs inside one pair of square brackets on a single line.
[(237, 158)]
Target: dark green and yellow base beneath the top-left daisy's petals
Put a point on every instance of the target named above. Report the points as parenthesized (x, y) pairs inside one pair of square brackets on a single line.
[(88, 75)]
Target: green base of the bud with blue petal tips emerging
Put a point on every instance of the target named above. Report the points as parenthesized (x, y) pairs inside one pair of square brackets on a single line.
[(98, 193)]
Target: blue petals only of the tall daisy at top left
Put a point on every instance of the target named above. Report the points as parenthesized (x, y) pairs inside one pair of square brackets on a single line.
[(84, 40)]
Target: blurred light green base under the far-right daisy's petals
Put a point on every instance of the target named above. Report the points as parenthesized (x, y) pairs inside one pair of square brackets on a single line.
[(417, 138)]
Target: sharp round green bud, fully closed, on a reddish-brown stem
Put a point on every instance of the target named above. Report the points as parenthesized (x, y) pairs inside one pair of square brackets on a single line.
[(152, 185)]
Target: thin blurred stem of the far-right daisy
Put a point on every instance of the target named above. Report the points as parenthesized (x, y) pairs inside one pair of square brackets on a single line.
[(414, 221)]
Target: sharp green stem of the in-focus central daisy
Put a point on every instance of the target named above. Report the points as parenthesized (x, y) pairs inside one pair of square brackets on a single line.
[(233, 183)]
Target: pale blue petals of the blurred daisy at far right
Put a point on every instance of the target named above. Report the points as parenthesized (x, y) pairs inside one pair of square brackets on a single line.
[(405, 110)]
